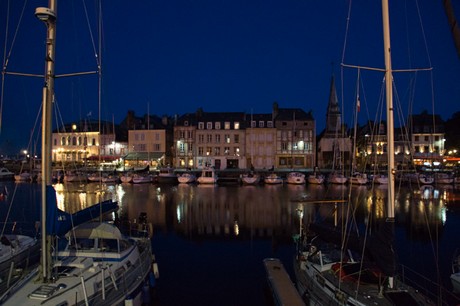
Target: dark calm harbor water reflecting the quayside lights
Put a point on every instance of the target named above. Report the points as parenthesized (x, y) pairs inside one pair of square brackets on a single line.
[(210, 241)]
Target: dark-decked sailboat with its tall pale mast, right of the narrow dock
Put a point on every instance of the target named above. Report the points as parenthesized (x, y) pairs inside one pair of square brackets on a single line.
[(331, 273)]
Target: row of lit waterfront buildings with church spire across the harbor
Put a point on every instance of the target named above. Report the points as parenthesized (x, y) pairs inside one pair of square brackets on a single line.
[(286, 138)]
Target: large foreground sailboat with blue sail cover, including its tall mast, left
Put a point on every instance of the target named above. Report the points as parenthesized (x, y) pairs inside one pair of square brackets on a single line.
[(98, 265)]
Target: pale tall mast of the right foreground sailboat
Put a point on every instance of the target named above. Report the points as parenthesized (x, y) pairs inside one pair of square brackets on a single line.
[(390, 114)]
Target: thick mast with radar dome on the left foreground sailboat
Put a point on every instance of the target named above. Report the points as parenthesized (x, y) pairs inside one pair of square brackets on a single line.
[(48, 16)]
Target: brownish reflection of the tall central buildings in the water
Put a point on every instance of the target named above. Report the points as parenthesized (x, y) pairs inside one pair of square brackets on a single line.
[(249, 211)]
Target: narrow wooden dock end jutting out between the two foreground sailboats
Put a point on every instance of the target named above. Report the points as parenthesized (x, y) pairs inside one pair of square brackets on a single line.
[(283, 289)]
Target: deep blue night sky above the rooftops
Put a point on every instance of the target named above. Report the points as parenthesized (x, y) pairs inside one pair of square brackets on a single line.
[(172, 57)]
